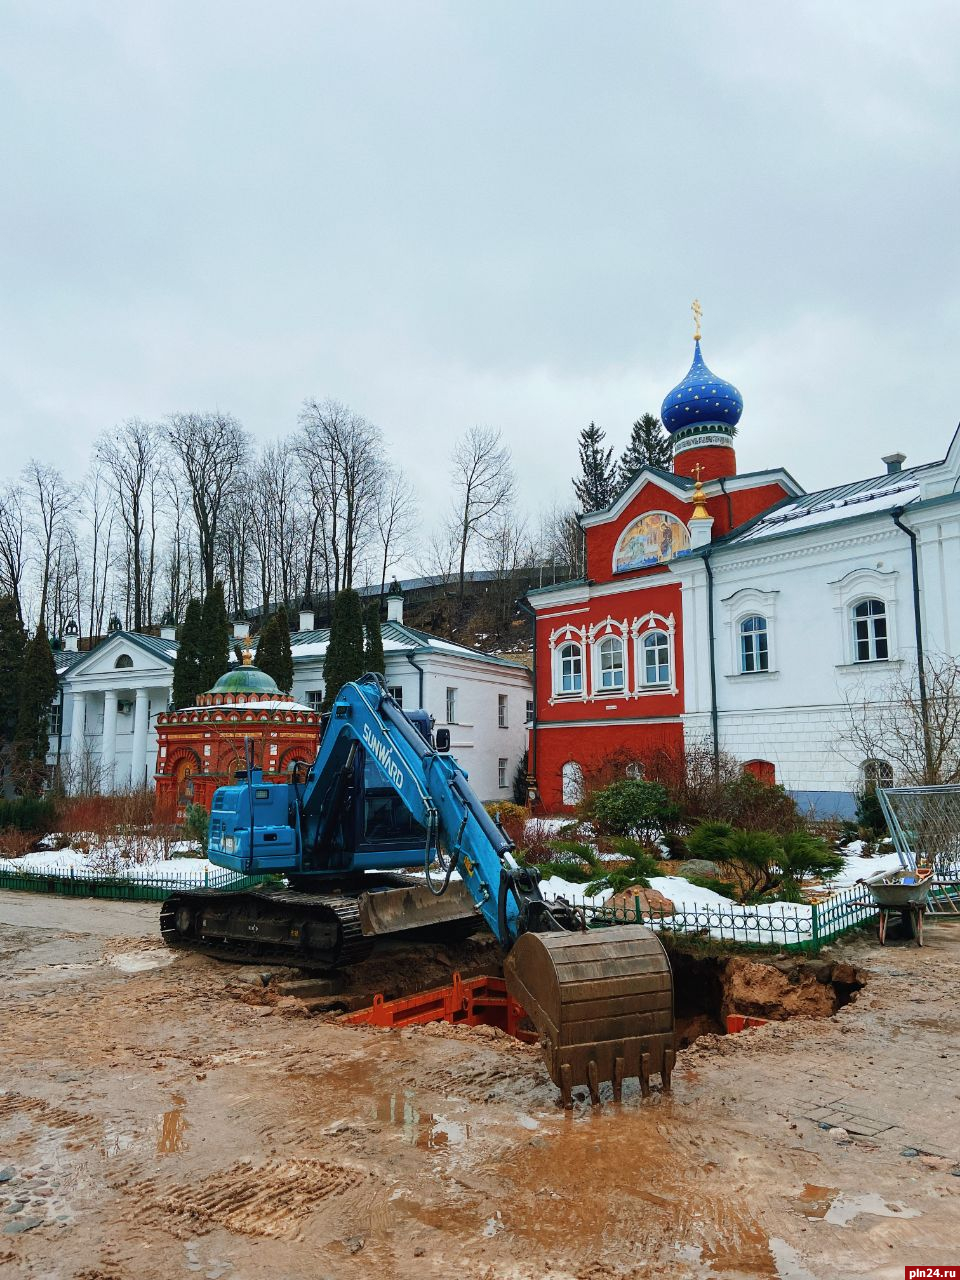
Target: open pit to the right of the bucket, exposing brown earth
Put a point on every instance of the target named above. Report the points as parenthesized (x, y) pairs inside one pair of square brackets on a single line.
[(710, 989)]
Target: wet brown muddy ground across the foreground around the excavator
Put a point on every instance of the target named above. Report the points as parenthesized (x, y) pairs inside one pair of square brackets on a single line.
[(154, 1126)]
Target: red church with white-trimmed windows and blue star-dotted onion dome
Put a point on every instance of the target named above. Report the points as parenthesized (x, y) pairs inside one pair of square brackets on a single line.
[(609, 647)]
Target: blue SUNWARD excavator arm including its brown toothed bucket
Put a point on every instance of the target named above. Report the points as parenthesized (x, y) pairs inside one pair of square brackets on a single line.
[(601, 1000)]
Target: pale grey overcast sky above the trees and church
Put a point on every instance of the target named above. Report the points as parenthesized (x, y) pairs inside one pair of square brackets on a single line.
[(495, 213)]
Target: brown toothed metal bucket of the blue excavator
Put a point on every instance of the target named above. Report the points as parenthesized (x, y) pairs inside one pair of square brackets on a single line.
[(604, 1004)]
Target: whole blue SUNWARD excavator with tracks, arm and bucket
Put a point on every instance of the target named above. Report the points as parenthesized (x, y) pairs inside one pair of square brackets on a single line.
[(385, 794)]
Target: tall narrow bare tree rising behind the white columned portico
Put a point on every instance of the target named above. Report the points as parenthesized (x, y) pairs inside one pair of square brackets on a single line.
[(132, 454)]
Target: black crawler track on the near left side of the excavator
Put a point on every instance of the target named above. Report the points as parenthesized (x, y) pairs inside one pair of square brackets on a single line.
[(310, 931)]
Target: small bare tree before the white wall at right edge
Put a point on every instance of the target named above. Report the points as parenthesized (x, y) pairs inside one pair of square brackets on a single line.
[(918, 737)]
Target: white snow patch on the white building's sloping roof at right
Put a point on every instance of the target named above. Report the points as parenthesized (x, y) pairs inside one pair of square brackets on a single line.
[(842, 502)]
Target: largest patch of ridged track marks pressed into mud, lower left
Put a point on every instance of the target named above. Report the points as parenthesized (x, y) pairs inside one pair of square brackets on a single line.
[(269, 1200)]
